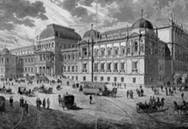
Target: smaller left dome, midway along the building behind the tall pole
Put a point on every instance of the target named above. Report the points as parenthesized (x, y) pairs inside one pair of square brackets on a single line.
[(91, 33)]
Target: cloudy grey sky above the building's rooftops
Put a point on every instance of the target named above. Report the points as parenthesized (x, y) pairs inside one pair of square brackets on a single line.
[(22, 20)]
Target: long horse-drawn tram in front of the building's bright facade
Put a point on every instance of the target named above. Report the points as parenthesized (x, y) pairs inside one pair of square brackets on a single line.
[(97, 88)]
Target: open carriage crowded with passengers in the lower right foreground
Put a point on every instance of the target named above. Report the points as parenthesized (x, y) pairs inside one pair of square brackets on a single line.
[(157, 106)]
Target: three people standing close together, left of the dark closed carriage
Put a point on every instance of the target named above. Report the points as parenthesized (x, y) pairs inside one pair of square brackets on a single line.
[(45, 103)]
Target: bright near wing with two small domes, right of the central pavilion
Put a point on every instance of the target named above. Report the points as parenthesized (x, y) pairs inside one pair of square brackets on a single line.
[(133, 55)]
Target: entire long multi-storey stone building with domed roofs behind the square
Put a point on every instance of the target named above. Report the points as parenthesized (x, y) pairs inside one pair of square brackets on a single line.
[(140, 54)]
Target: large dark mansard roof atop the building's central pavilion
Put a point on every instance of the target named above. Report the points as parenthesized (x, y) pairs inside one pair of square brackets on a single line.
[(60, 31)]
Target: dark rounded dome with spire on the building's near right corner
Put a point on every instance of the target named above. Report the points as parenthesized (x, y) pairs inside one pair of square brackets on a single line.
[(142, 23)]
